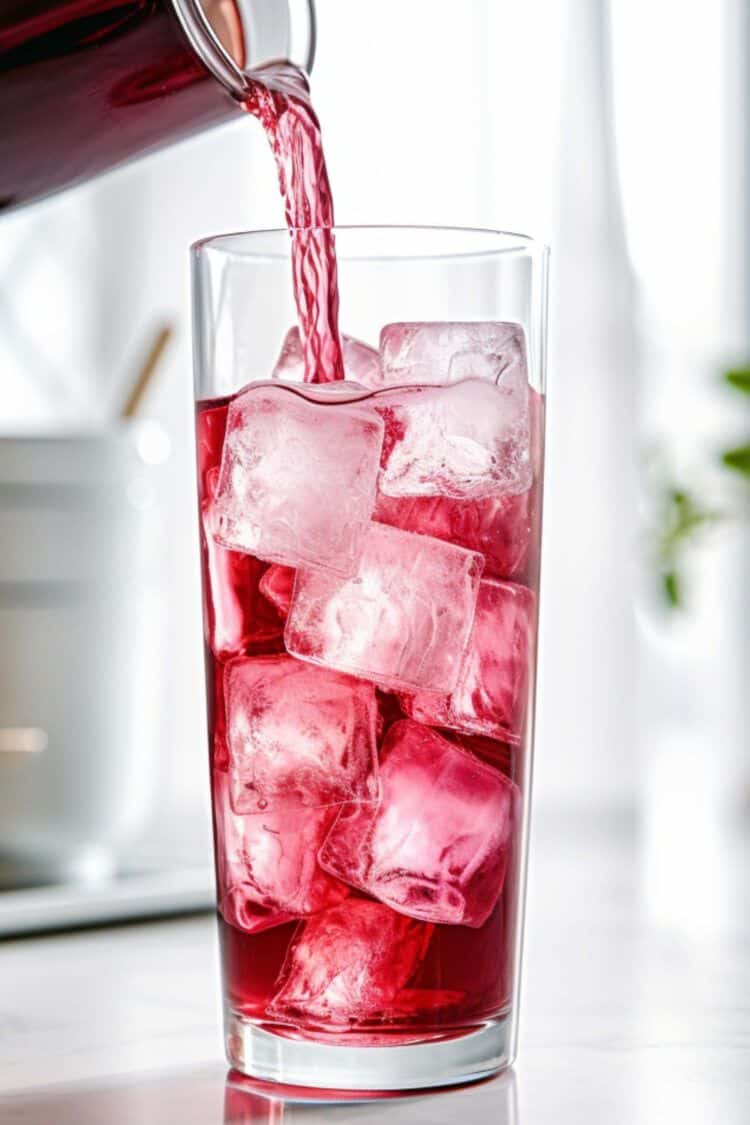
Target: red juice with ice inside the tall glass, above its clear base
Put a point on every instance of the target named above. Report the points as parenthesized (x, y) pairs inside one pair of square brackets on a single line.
[(371, 671)]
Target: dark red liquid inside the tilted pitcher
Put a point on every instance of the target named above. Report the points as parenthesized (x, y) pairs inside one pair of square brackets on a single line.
[(87, 85)]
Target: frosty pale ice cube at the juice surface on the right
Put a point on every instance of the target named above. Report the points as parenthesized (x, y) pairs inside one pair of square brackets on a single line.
[(468, 440)]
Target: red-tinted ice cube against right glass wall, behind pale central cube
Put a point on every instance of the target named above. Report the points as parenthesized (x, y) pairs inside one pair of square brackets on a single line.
[(493, 690)]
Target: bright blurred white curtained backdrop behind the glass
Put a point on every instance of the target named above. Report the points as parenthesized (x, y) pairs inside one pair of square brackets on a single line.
[(621, 142)]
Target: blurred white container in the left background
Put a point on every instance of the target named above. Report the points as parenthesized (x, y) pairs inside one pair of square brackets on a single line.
[(83, 655)]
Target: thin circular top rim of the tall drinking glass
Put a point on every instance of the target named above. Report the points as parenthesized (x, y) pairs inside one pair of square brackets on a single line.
[(239, 244)]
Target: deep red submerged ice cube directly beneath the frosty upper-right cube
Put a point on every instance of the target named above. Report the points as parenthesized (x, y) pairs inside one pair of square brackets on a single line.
[(499, 527)]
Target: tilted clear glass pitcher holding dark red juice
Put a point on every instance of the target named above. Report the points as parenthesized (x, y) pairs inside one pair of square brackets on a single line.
[(87, 85)]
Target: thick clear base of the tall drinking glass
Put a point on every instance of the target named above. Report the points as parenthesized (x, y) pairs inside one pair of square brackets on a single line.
[(459, 1057)]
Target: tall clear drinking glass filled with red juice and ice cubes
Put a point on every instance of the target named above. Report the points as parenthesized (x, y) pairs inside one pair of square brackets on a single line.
[(371, 560)]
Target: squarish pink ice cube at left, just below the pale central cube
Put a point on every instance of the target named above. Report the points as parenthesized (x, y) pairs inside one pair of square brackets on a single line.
[(299, 735)]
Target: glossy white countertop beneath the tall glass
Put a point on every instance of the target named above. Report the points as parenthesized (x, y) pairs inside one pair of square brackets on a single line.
[(636, 1006)]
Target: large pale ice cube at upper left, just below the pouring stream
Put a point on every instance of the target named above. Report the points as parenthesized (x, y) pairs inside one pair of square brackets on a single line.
[(299, 479)]
